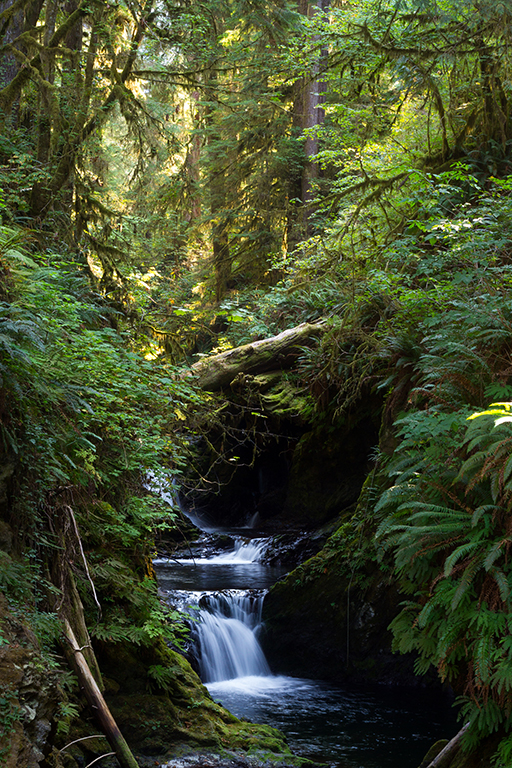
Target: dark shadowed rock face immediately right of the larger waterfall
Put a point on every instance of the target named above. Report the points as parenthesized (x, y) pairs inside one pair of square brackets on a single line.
[(321, 621)]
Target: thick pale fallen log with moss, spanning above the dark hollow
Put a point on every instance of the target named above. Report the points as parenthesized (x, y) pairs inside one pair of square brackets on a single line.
[(278, 352)]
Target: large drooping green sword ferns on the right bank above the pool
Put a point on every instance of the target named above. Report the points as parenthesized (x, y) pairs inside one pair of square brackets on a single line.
[(446, 522)]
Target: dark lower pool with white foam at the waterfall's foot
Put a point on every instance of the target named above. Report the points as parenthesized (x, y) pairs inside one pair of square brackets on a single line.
[(356, 728)]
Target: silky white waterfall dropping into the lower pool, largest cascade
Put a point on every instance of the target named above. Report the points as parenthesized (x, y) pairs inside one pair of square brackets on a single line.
[(227, 636)]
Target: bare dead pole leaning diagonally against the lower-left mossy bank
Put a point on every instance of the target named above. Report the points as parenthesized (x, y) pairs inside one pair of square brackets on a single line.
[(98, 703)]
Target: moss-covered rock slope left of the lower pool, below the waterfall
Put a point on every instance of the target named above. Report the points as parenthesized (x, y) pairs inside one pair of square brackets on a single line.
[(163, 718)]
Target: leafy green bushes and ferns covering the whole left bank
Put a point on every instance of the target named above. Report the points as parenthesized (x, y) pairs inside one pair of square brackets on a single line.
[(91, 423)]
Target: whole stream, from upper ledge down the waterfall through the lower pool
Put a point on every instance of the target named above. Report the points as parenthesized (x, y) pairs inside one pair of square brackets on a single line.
[(377, 727)]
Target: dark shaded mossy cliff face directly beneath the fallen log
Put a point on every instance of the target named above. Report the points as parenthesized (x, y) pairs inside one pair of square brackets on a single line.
[(290, 472)]
